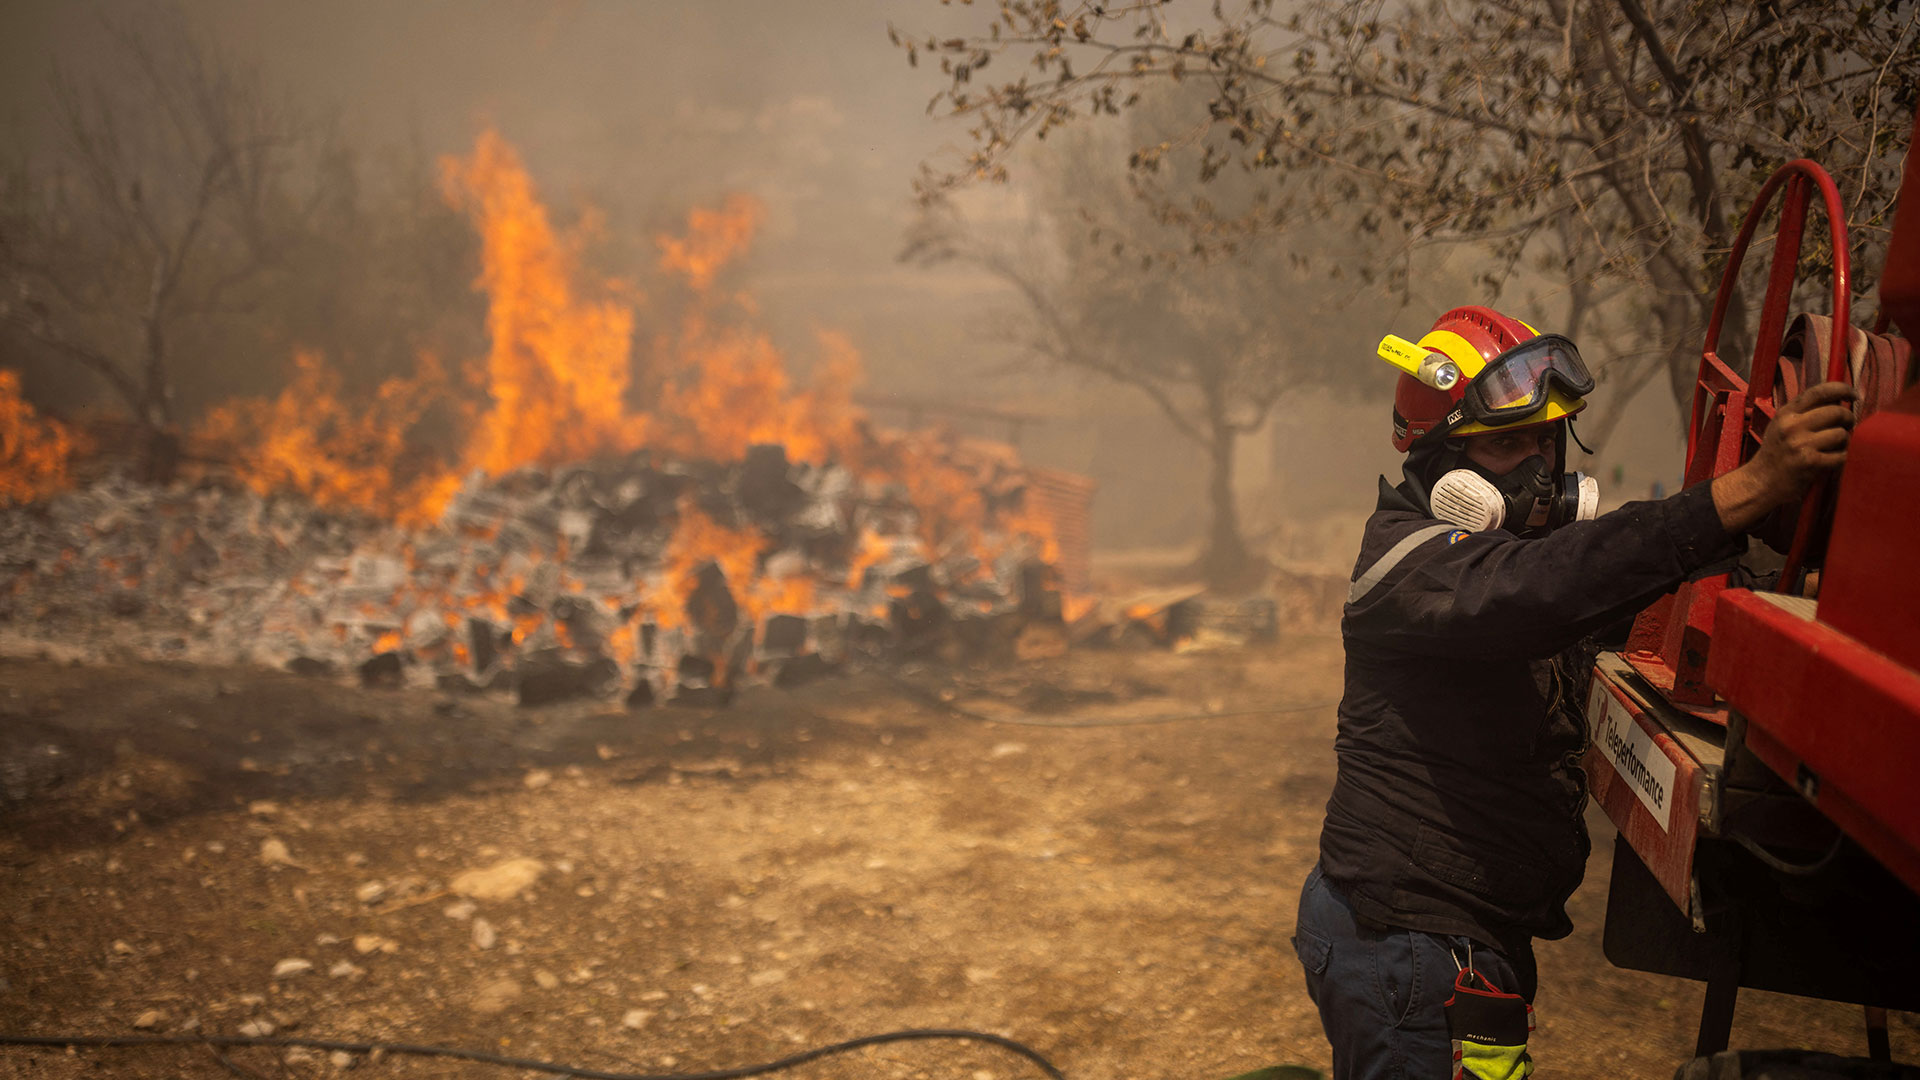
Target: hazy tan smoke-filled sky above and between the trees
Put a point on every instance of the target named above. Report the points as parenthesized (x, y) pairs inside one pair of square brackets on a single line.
[(654, 107)]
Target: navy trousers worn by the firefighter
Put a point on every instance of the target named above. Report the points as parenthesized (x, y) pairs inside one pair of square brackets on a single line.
[(1381, 993)]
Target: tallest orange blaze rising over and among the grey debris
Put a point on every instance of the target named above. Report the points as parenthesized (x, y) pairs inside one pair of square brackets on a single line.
[(562, 383)]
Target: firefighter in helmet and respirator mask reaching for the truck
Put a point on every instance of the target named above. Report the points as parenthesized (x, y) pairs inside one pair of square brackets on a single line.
[(1454, 833)]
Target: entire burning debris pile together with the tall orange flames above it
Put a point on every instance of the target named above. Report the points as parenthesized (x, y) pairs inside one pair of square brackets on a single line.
[(606, 520)]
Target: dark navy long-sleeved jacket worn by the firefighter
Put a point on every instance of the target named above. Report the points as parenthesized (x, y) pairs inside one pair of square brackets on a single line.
[(1458, 804)]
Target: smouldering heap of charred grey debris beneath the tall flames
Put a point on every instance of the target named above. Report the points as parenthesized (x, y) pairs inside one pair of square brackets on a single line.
[(636, 579)]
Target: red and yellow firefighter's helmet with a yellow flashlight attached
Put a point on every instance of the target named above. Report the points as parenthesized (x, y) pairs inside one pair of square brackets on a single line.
[(1470, 337)]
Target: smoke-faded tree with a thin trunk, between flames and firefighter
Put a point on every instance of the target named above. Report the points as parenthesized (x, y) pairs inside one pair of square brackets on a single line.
[(1214, 343)]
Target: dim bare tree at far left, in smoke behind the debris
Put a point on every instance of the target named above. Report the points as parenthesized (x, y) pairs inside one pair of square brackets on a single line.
[(164, 203)]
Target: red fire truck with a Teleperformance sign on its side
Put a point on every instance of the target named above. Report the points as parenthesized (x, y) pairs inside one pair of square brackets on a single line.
[(1758, 739)]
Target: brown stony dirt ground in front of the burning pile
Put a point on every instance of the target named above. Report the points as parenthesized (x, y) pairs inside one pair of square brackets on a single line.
[(721, 887)]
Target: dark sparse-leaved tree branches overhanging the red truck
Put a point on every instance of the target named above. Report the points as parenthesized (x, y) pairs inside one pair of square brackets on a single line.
[(1631, 130)]
